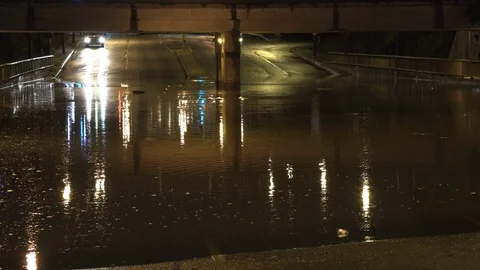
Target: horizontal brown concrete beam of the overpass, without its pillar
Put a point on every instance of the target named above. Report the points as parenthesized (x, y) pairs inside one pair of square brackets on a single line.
[(274, 18)]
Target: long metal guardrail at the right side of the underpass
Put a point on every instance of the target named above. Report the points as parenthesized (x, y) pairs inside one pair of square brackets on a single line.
[(447, 67)]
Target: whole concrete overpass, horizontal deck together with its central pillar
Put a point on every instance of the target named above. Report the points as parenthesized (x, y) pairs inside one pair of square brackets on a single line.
[(229, 18)]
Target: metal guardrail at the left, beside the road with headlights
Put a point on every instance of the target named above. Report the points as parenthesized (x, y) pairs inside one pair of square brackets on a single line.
[(13, 70)]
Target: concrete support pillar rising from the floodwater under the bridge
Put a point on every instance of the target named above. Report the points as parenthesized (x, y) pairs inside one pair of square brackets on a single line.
[(230, 60)]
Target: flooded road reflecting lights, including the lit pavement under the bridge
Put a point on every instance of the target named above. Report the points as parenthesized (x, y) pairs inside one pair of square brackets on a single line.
[(97, 175)]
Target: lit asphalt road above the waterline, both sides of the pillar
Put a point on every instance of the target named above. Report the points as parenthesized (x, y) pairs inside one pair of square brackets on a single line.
[(149, 60)]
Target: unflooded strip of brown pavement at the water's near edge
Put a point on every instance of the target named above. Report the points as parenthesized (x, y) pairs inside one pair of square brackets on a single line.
[(438, 252)]
